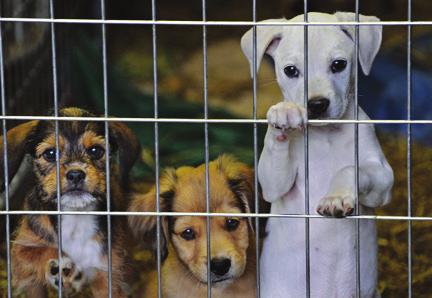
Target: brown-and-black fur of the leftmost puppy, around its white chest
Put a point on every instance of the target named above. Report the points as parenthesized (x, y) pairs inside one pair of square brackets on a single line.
[(36, 239)]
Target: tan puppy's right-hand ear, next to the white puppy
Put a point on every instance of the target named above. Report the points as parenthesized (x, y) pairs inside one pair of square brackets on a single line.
[(240, 179)]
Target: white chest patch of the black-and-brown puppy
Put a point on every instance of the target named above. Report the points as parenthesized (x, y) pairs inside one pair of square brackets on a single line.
[(78, 242)]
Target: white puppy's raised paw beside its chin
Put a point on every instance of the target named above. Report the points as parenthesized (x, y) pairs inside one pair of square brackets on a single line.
[(286, 116)]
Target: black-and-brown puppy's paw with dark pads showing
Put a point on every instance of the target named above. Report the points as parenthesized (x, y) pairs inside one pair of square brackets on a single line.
[(72, 278)]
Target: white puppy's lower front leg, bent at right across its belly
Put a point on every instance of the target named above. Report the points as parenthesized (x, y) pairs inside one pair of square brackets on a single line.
[(375, 183)]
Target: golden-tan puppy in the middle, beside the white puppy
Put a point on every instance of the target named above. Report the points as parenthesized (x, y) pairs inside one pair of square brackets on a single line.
[(184, 271)]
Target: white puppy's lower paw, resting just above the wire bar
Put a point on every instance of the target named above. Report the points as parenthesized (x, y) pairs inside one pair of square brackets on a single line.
[(336, 206)]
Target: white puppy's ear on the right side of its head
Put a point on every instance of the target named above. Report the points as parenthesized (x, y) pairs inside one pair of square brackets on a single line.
[(369, 38)]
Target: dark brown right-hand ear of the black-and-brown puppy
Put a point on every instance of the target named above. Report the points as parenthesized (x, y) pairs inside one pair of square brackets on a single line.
[(128, 147)]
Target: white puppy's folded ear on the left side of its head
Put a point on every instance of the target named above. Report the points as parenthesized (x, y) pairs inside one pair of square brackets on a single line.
[(267, 40)]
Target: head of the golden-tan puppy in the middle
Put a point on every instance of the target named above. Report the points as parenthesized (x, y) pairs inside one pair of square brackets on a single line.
[(184, 190)]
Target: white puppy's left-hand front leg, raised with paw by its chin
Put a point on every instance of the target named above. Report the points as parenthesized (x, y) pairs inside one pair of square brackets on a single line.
[(276, 169)]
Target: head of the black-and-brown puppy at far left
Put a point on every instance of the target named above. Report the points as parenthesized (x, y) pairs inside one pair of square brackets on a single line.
[(82, 157)]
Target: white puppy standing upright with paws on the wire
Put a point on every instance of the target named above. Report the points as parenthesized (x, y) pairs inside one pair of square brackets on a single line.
[(281, 169)]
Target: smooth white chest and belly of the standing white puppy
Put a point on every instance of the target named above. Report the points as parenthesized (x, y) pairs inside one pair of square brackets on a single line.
[(331, 242)]
